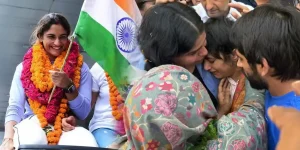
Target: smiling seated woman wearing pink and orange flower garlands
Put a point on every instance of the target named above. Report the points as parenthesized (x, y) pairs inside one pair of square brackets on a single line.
[(30, 117)]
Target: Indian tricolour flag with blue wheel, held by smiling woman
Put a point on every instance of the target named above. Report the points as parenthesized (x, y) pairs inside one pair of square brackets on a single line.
[(106, 30)]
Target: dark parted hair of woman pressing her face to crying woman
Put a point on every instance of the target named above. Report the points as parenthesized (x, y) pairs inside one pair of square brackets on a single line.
[(168, 30)]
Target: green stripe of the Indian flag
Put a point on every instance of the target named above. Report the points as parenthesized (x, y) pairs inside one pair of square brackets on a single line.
[(100, 45)]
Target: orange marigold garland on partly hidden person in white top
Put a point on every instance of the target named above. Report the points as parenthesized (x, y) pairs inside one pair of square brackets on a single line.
[(116, 100)]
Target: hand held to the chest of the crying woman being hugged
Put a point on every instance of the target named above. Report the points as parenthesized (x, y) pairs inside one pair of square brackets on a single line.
[(224, 98)]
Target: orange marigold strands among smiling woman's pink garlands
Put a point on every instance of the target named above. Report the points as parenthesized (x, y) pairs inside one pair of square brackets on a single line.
[(41, 78)]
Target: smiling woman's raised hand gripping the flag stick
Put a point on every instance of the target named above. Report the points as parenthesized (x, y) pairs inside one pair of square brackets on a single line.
[(60, 79)]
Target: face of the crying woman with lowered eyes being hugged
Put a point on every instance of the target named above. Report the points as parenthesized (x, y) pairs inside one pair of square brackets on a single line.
[(219, 67)]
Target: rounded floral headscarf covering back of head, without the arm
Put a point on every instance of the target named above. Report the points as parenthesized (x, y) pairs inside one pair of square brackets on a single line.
[(165, 108)]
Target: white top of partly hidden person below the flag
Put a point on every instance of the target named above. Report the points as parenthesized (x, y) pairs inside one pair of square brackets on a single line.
[(102, 117)]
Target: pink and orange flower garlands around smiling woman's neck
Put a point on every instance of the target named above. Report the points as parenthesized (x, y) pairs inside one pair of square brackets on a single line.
[(37, 84)]
